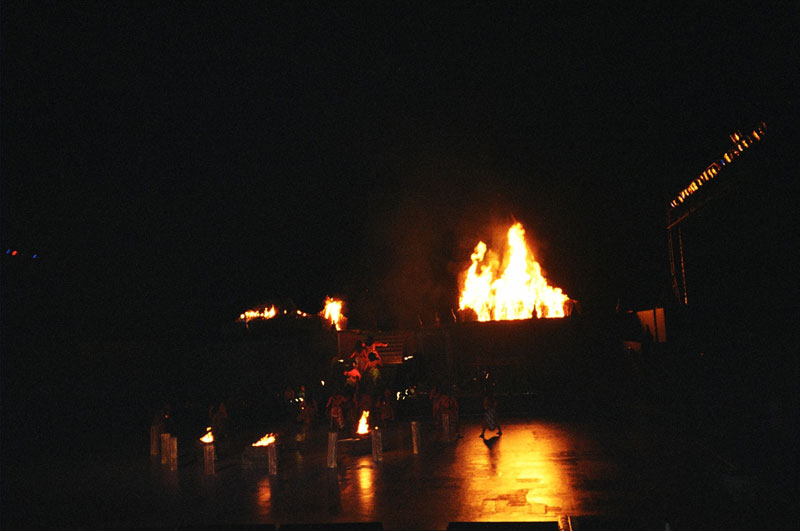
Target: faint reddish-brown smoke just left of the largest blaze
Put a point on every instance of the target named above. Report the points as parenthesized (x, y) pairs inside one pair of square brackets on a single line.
[(416, 243)]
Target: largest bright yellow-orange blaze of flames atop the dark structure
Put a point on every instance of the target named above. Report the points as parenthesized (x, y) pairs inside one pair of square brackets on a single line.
[(517, 292)]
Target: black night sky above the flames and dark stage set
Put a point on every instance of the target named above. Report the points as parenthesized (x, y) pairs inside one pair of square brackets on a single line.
[(176, 164)]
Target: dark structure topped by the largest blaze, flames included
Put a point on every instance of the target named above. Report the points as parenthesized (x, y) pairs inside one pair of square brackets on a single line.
[(509, 318)]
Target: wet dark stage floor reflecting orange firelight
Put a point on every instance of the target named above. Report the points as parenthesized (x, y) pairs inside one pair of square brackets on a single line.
[(641, 475)]
